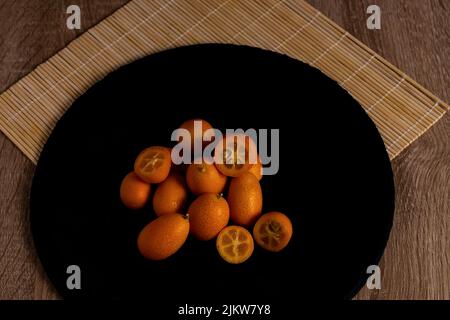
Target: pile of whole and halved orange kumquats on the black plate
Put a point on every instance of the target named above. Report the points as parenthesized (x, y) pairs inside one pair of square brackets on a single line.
[(233, 172)]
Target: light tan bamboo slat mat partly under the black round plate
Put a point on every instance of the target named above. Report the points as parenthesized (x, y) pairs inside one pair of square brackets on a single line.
[(402, 109)]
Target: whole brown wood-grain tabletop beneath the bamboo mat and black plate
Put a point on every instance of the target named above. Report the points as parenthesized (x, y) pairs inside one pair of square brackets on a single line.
[(415, 36)]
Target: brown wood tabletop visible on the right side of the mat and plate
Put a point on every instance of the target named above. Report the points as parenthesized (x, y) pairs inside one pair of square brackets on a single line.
[(415, 36)]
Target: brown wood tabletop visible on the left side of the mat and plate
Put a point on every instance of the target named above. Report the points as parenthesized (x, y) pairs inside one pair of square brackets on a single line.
[(31, 32)]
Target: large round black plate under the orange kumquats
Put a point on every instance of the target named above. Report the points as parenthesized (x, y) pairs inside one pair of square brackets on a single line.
[(334, 181)]
